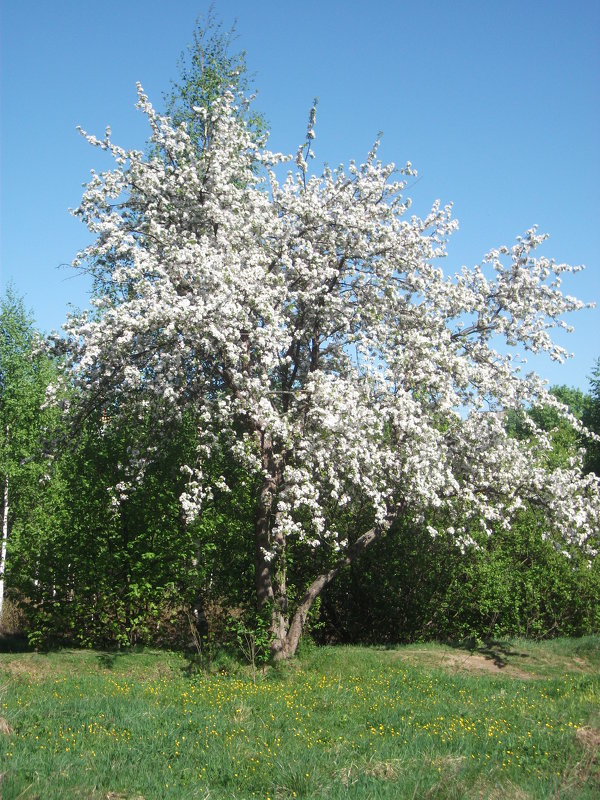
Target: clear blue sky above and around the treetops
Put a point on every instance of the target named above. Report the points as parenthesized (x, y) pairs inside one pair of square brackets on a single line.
[(496, 104)]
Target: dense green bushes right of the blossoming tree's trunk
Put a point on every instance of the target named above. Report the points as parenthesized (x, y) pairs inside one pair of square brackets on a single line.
[(412, 587)]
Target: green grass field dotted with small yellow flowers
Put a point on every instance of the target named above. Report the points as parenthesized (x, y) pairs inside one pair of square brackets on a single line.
[(513, 721)]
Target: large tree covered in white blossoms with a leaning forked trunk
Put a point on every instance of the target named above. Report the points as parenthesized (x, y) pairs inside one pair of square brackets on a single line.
[(308, 324)]
